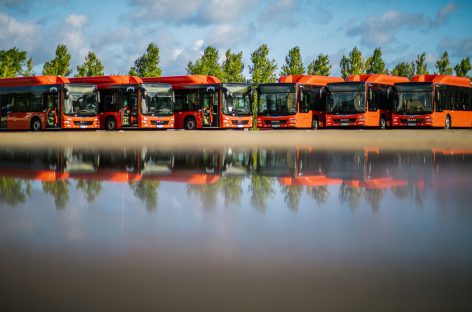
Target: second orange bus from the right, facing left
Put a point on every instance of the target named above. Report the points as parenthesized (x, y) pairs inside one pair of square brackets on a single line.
[(362, 101)]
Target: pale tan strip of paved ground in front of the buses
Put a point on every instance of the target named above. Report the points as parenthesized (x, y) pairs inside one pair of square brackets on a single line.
[(323, 139)]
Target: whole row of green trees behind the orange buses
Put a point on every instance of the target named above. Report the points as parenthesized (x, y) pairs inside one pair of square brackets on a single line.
[(14, 62)]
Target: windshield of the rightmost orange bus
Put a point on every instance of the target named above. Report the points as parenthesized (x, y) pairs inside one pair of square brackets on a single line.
[(414, 99)]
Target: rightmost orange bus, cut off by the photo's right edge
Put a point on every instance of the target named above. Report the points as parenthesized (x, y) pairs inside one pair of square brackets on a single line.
[(433, 101)]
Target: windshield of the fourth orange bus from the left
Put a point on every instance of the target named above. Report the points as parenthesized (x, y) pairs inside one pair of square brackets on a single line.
[(277, 99)]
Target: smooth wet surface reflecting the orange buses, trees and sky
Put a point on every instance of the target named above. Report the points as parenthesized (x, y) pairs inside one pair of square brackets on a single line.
[(235, 229)]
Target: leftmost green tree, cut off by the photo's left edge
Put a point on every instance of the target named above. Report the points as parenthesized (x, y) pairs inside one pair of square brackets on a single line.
[(15, 63)]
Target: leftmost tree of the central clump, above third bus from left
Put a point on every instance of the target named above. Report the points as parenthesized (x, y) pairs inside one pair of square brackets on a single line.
[(207, 64)]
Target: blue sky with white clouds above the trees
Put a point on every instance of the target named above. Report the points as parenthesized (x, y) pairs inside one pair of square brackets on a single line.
[(119, 31)]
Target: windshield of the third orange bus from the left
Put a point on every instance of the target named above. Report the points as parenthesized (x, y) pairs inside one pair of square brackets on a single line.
[(236, 100)]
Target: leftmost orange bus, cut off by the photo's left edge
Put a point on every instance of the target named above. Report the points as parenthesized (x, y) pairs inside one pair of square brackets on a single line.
[(41, 102)]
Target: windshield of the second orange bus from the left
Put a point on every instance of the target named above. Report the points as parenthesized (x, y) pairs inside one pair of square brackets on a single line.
[(157, 101)]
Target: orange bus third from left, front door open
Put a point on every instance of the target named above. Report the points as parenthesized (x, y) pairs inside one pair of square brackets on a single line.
[(205, 102)]
